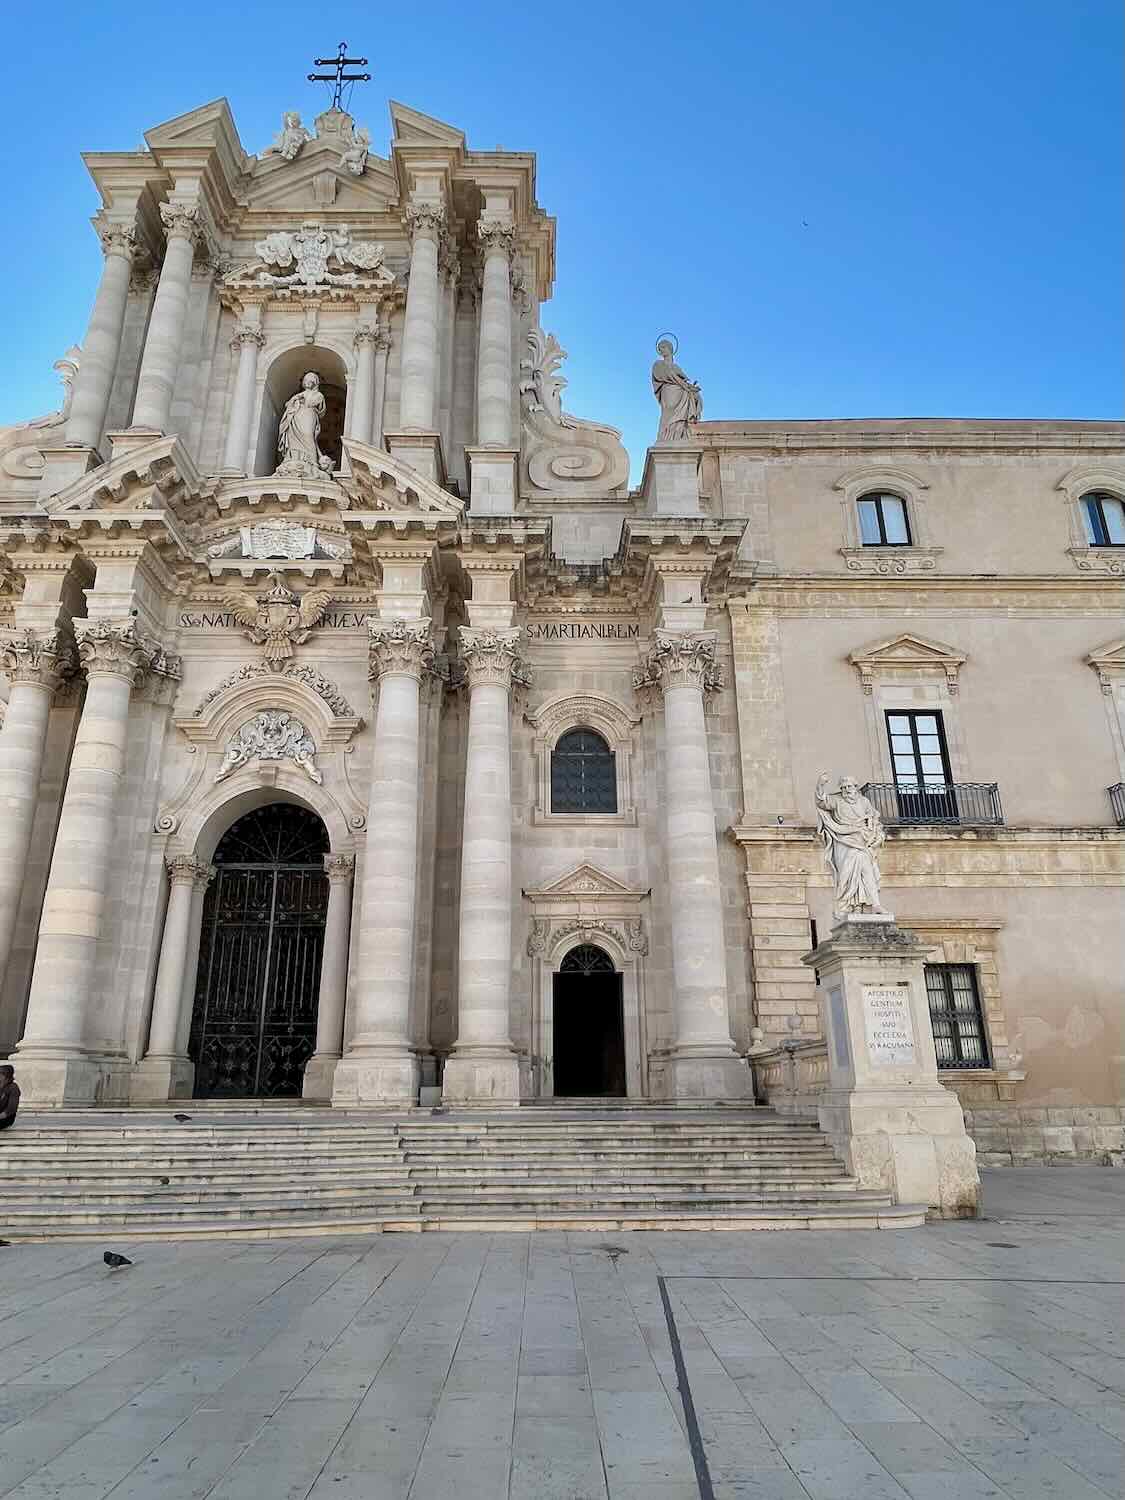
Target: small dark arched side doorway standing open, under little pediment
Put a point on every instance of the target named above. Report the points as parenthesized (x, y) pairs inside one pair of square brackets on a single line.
[(589, 1025)]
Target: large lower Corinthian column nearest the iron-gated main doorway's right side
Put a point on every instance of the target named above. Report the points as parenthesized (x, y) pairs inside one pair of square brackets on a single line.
[(380, 1066)]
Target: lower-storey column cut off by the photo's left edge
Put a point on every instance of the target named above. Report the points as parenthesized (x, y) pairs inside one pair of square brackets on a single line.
[(32, 664)]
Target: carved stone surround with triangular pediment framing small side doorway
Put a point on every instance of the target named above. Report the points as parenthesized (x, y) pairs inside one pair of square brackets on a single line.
[(589, 907)]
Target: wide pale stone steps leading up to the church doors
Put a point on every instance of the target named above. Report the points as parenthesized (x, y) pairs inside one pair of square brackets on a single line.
[(274, 1172)]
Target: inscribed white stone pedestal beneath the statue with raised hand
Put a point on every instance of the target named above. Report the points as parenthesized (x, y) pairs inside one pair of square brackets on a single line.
[(886, 1109)]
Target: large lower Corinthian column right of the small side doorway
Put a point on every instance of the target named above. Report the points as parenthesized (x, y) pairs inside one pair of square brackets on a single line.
[(703, 1061)]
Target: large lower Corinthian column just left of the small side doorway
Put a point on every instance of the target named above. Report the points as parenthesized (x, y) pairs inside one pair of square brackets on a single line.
[(484, 1069)]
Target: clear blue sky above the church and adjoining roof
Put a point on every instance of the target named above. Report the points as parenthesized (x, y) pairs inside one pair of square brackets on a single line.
[(868, 209)]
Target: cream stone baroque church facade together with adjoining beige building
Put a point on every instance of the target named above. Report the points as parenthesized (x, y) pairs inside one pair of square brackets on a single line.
[(367, 734)]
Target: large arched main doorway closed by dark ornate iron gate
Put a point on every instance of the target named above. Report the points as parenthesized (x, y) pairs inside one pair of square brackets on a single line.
[(254, 1024)]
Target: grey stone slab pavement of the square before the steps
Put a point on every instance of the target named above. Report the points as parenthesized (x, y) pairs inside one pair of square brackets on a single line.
[(956, 1363)]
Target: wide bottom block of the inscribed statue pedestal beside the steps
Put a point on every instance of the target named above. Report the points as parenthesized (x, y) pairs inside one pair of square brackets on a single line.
[(907, 1142)]
